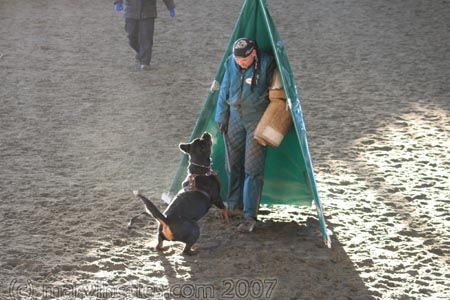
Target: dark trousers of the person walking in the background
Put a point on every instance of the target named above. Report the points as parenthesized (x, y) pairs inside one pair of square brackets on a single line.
[(140, 37)]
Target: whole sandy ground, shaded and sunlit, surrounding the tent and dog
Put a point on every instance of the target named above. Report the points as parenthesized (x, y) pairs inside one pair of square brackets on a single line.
[(81, 128)]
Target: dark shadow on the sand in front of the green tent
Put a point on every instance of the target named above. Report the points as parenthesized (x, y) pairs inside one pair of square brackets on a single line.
[(281, 259)]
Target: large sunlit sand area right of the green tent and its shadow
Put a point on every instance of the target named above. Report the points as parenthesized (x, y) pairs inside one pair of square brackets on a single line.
[(389, 206)]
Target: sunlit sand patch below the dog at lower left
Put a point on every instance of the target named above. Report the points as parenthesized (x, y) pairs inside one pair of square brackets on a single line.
[(124, 268)]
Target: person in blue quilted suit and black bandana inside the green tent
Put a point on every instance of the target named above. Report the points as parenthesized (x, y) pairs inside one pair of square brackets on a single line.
[(243, 98)]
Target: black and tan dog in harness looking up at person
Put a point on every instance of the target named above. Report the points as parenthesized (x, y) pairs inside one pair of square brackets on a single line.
[(201, 189)]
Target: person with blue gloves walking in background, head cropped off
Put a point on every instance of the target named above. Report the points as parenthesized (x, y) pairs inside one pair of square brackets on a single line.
[(140, 18)]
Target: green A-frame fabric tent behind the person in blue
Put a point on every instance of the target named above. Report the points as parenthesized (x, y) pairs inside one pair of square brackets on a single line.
[(289, 175)]
